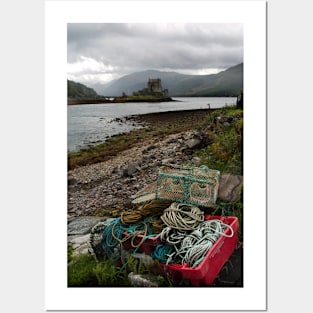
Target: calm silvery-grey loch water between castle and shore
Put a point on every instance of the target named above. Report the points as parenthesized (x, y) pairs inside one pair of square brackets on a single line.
[(93, 124)]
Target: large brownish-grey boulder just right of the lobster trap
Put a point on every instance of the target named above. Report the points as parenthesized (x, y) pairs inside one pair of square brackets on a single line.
[(230, 187)]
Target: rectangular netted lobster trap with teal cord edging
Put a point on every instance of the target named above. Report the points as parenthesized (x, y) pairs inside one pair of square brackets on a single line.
[(190, 185)]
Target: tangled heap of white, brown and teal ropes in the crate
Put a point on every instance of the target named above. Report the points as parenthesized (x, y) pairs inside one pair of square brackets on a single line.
[(186, 236)]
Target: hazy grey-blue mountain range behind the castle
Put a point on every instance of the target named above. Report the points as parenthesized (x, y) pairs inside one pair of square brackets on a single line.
[(225, 83)]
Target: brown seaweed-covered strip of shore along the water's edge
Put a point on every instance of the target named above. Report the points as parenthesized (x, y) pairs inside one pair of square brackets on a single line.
[(158, 125)]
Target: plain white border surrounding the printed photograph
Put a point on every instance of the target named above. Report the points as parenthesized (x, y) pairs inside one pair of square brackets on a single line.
[(253, 295)]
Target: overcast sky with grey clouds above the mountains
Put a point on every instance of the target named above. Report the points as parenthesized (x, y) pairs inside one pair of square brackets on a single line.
[(99, 53)]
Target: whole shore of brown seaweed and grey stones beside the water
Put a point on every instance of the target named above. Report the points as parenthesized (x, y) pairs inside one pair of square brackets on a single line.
[(103, 180)]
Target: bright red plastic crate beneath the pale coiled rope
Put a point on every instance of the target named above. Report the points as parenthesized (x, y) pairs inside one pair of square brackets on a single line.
[(205, 273)]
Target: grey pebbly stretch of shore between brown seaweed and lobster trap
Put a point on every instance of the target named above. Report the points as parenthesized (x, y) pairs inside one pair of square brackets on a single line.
[(100, 188)]
